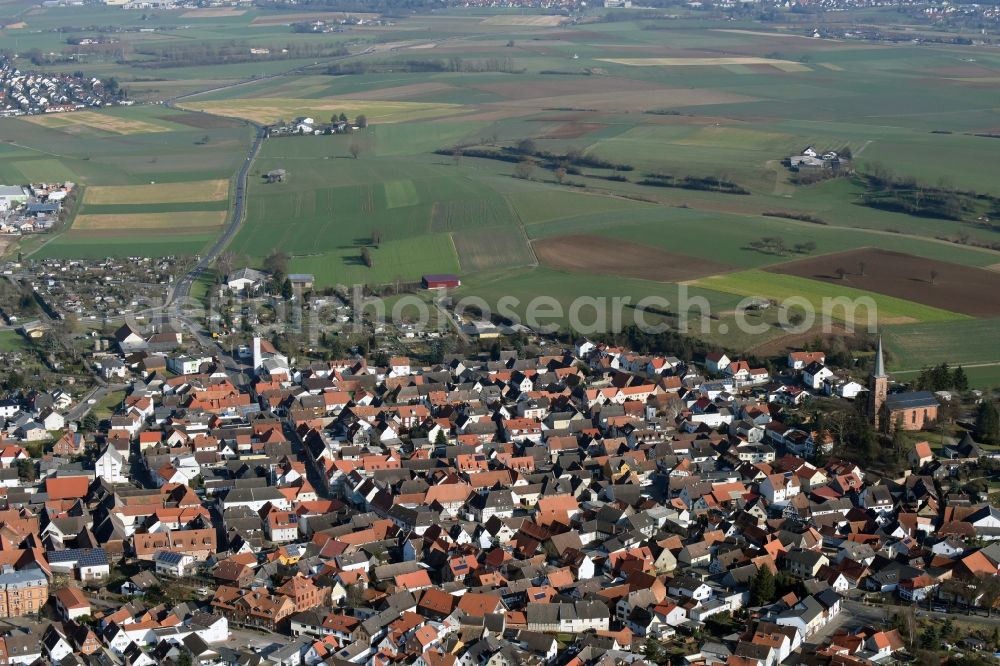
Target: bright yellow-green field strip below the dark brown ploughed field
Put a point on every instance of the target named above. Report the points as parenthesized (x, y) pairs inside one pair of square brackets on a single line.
[(888, 310)]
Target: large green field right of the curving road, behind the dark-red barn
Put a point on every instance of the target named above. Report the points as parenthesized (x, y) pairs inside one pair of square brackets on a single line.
[(331, 204)]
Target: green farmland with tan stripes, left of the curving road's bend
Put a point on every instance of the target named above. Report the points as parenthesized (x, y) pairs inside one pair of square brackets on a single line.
[(148, 193)]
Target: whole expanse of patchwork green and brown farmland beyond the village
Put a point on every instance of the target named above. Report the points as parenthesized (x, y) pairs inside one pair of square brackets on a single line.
[(609, 107)]
